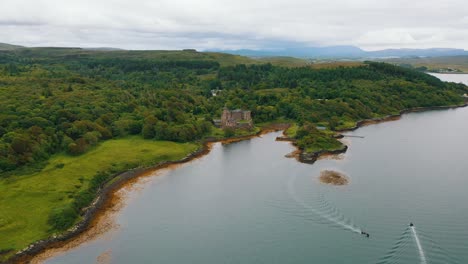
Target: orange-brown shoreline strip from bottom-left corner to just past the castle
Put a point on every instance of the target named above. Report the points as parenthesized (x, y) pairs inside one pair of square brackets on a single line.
[(108, 200)]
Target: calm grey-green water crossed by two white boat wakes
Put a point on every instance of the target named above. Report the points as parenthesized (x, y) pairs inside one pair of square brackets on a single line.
[(247, 203)]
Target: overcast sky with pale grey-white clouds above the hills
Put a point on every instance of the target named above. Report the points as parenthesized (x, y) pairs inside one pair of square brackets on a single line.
[(236, 24)]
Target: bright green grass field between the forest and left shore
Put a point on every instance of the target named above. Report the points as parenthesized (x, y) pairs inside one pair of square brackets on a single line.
[(27, 200)]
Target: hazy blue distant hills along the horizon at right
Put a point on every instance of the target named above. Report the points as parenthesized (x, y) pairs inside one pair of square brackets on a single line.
[(351, 52)]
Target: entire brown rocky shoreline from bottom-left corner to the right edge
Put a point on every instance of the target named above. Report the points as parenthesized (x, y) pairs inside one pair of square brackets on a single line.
[(108, 198)]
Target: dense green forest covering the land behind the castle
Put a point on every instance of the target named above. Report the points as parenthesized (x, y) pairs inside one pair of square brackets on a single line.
[(67, 100)]
